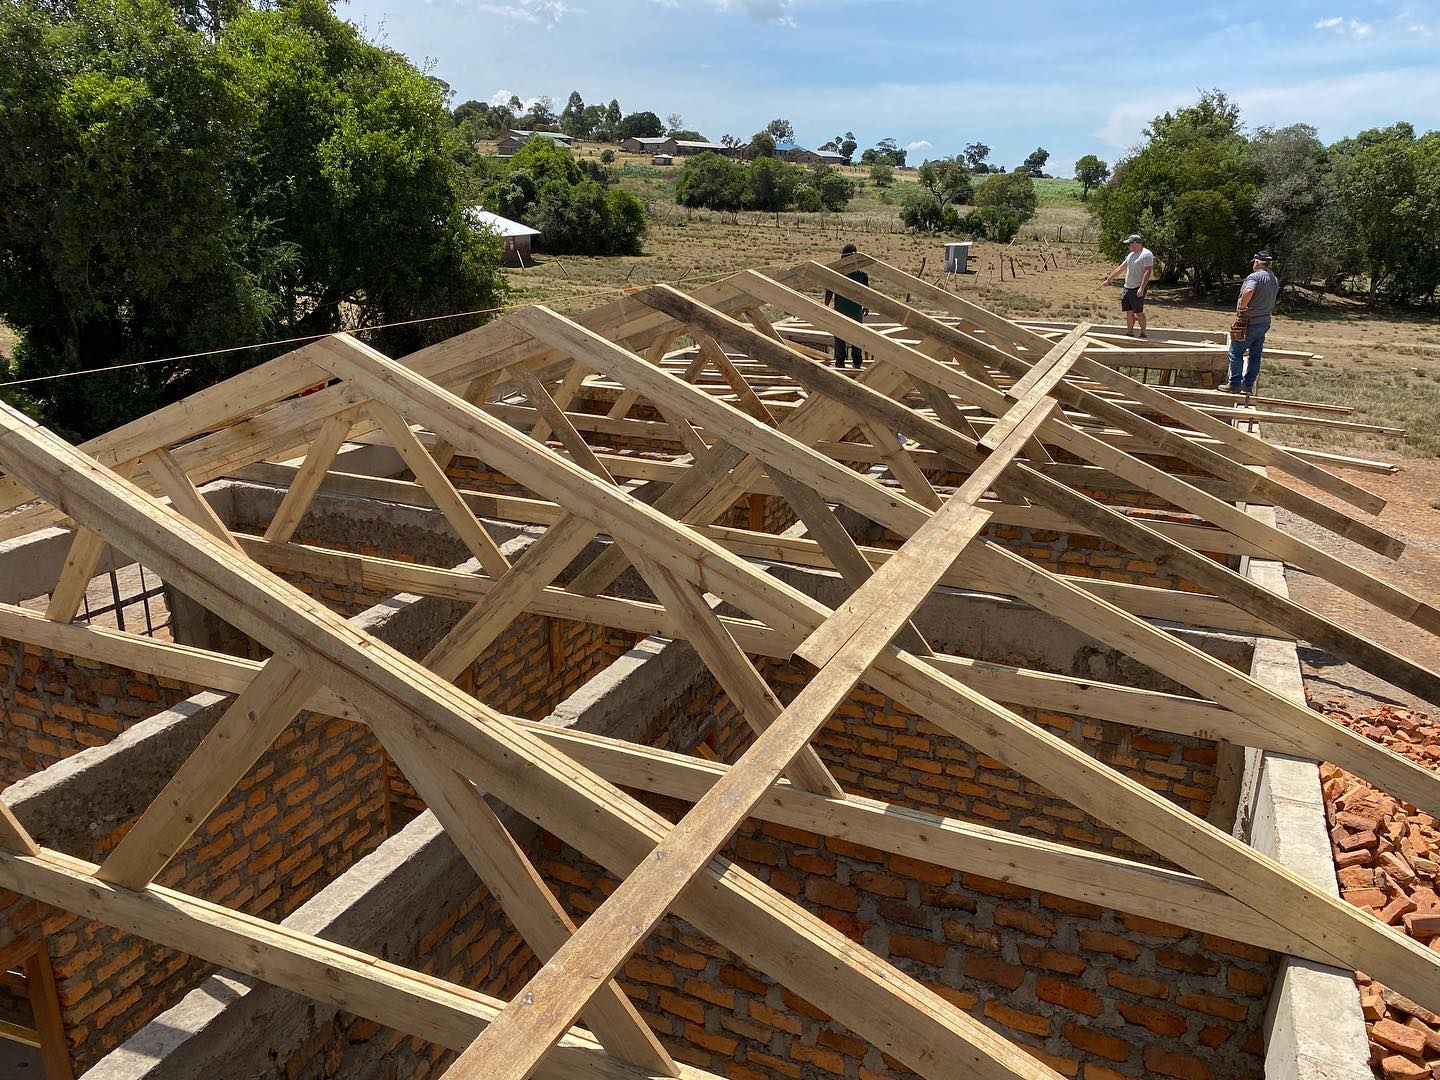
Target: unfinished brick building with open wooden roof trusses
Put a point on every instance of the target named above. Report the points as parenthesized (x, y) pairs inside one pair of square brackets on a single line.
[(944, 721)]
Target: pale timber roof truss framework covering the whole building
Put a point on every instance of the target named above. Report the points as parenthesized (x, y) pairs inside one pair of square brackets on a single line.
[(980, 394)]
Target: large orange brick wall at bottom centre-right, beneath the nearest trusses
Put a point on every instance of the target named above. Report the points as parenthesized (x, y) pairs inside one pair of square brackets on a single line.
[(1075, 984)]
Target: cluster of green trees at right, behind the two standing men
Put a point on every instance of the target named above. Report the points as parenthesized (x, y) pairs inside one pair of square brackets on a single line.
[(1206, 195)]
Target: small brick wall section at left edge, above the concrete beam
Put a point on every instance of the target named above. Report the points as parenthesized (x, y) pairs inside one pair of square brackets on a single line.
[(57, 705)]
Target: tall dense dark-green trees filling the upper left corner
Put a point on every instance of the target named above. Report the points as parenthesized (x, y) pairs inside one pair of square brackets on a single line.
[(197, 176)]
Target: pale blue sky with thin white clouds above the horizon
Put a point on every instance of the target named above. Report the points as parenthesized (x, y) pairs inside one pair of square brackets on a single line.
[(1071, 77)]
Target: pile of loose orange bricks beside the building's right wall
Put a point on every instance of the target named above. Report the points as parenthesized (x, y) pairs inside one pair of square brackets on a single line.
[(1387, 858)]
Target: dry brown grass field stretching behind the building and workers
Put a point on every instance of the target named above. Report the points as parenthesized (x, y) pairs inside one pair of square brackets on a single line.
[(1385, 364)]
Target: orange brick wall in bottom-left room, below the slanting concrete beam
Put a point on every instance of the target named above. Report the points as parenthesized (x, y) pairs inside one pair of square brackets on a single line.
[(307, 811)]
